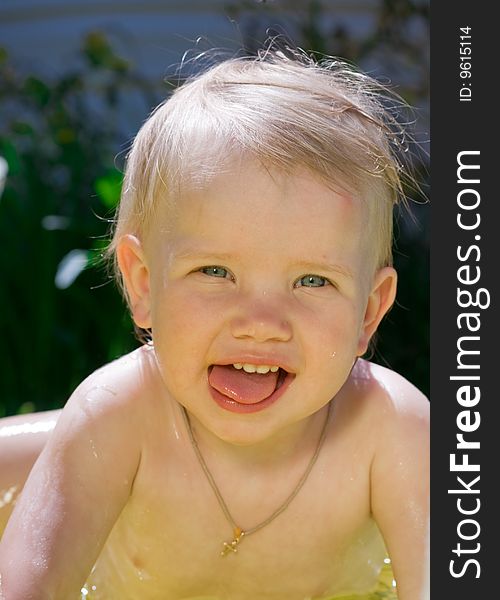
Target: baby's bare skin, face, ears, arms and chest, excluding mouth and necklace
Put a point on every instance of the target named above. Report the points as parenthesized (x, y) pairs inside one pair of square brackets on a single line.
[(121, 445)]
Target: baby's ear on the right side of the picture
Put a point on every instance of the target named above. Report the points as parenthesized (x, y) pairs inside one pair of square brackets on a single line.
[(380, 301)]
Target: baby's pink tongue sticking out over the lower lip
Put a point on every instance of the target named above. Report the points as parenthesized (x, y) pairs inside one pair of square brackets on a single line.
[(237, 384)]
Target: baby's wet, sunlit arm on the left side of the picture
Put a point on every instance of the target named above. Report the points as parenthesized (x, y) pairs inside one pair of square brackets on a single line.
[(71, 499)]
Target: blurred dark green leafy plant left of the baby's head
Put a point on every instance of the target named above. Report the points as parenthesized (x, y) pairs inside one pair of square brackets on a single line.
[(61, 319)]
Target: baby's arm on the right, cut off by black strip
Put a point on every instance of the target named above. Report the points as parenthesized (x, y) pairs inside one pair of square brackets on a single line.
[(400, 488)]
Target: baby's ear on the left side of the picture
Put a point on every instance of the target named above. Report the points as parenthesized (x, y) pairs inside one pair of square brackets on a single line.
[(135, 273)]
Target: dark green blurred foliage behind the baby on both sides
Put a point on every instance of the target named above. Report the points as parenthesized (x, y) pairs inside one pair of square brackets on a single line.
[(65, 160)]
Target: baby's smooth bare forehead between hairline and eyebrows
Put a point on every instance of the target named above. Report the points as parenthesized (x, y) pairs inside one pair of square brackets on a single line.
[(250, 208)]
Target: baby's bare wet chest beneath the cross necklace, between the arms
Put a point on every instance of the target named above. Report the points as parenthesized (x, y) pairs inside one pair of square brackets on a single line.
[(169, 540)]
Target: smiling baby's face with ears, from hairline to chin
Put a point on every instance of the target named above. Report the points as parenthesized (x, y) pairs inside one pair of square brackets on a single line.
[(265, 270)]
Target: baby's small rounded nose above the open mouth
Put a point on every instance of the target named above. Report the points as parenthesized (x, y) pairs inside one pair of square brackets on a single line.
[(261, 321)]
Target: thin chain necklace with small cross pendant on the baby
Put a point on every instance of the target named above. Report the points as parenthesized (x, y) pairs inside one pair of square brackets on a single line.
[(238, 532)]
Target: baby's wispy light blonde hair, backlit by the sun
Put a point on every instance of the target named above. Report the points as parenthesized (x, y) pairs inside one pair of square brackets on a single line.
[(286, 110)]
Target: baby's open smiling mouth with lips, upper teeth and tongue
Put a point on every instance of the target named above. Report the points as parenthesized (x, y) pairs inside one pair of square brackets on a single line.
[(245, 387)]
